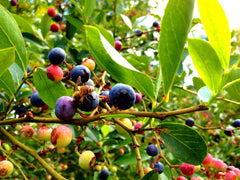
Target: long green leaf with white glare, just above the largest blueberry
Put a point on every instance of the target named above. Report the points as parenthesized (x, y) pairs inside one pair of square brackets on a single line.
[(109, 59)]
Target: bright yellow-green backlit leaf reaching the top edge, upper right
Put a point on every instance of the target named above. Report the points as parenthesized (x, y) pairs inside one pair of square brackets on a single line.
[(216, 26)]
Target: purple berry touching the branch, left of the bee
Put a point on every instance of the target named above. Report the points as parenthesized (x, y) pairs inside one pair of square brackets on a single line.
[(64, 108)]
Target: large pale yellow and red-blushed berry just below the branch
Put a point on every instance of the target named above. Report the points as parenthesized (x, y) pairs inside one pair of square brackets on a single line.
[(61, 136)]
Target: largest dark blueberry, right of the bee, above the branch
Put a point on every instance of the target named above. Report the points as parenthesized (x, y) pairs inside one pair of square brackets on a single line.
[(122, 96)]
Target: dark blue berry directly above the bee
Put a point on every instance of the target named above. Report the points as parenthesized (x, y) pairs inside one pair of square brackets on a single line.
[(82, 71)]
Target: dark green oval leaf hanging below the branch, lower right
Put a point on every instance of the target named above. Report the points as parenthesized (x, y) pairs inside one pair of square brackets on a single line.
[(184, 142)]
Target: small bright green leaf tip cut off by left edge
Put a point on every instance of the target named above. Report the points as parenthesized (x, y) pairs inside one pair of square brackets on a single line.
[(7, 57)]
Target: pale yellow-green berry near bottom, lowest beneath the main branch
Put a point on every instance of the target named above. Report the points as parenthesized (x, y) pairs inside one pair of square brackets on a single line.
[(87, 159)]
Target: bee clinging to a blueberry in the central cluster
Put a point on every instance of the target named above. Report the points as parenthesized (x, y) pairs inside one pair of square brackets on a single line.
[(81, 92)]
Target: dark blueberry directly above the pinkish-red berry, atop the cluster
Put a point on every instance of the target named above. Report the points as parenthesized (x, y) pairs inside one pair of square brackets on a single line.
[(56, 56)]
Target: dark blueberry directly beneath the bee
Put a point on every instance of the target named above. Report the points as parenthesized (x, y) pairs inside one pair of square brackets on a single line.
[(89, 102)]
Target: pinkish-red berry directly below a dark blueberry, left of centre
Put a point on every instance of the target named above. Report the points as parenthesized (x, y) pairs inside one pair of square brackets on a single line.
[(55, 73)]
